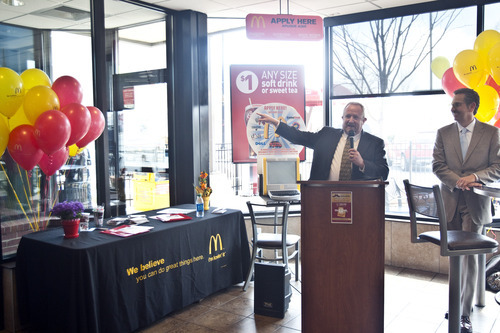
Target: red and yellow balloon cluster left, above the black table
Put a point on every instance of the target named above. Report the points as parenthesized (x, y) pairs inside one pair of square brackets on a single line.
[(44, 123)]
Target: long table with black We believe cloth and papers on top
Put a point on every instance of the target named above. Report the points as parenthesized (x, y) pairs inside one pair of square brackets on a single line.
[(104, 283)]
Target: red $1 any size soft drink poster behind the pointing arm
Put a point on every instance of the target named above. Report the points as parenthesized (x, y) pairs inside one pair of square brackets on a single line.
[(275, 90)]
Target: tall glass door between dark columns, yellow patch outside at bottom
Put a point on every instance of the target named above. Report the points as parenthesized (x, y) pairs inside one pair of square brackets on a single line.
[(138, 126)]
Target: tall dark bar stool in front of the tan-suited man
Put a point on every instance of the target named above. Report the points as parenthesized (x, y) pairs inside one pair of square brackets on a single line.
[(427, 201)]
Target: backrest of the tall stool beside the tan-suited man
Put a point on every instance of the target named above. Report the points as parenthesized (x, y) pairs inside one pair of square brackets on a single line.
[(426, 201)]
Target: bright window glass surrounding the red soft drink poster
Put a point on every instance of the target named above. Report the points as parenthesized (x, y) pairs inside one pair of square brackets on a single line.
[(230, 48)]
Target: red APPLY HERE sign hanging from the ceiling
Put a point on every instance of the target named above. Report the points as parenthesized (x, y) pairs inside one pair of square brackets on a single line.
[(284, 27)]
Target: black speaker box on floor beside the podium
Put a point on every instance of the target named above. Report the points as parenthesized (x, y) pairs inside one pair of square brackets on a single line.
[(272, 290)]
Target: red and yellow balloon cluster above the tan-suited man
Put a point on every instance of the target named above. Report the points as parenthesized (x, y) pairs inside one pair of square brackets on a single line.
[(478, 69)]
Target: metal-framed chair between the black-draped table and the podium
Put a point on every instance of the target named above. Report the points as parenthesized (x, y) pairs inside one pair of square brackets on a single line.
[(279, 240)]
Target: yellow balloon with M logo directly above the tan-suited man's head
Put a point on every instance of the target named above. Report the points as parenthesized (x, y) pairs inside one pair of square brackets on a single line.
[(470, 69)]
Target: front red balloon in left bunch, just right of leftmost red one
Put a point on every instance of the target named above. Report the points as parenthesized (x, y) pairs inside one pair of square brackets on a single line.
[(52, 131)]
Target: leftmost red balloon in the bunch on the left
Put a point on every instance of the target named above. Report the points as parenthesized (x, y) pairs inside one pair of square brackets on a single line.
[(23, 148)]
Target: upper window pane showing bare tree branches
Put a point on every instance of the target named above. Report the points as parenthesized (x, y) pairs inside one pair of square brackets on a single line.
[(395, 54)]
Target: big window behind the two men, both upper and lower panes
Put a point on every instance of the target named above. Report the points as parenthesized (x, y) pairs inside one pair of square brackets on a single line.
[(386, 65)]
